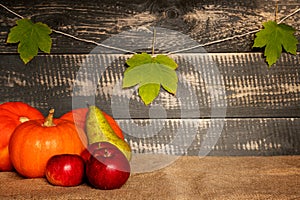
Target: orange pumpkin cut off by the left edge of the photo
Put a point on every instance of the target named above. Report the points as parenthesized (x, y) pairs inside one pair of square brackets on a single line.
[(11, 115)]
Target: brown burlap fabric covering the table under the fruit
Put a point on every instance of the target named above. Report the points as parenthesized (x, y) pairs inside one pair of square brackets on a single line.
[(188, 177)]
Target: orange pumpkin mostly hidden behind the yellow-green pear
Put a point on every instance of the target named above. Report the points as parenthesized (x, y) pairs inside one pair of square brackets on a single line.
[(78, 116)]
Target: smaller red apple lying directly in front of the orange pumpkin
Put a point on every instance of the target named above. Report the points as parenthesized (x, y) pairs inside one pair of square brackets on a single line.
[(65, 170)]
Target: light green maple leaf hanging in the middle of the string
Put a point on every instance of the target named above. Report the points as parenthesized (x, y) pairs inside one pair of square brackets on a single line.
[(150, 73)]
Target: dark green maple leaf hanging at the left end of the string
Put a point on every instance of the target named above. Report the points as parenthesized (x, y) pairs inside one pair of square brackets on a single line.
[(31, 37)]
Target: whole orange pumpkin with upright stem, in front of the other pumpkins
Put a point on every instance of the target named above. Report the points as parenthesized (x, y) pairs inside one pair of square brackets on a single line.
[(34, 142)]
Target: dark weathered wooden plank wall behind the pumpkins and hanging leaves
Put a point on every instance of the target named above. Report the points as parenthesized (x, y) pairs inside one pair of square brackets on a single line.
[(261, 105)]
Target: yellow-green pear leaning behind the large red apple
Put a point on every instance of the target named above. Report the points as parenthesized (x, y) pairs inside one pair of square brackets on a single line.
[(99, 130)]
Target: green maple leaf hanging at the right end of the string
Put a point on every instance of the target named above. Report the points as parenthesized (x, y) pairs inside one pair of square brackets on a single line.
[(273, 37)]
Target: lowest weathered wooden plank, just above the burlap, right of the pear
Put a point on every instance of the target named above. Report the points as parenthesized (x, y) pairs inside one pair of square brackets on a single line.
[(215, 137)]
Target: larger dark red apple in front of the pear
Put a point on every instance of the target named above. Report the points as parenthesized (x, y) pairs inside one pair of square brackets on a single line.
[(108, 168)]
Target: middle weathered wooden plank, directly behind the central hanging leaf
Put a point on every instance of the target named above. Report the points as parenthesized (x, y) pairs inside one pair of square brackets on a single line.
[(210, 85)]
